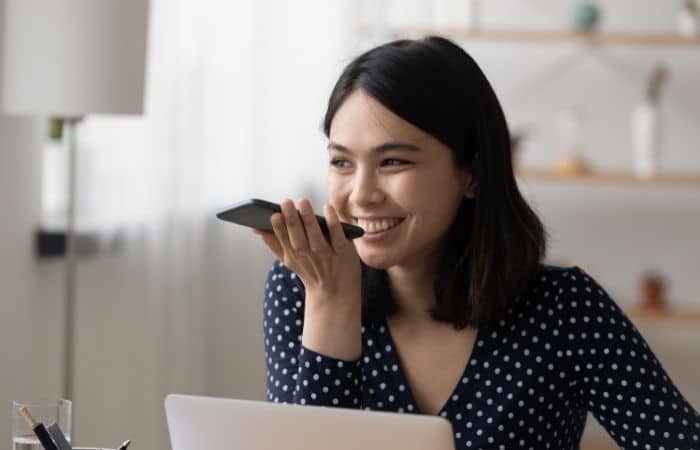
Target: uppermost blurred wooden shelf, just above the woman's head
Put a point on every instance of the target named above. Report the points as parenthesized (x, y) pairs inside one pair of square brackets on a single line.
[(545, 36)]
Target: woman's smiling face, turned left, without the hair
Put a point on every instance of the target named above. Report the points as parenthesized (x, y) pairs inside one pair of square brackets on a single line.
[(394, 180)]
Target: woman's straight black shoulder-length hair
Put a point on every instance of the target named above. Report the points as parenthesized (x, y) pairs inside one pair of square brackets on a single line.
[(494, 247)]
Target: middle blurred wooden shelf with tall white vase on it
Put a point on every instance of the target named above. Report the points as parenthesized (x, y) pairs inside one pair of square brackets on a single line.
[(663, 179)]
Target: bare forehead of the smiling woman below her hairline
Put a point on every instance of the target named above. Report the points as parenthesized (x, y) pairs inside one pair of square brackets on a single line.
[(363, 122)]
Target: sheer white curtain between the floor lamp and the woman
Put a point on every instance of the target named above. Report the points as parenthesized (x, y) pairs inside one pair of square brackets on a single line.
[(172, 300)]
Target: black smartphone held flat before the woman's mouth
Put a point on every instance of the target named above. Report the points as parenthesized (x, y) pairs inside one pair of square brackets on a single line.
[(256, 213)]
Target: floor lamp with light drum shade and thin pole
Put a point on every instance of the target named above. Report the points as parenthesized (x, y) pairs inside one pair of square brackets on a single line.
[(88, 58)]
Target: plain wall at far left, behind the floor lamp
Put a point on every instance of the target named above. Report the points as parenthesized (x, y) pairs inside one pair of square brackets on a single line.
[(30, 292)]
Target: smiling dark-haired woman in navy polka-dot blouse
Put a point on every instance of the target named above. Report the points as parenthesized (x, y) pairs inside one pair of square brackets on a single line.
[(444, 307)]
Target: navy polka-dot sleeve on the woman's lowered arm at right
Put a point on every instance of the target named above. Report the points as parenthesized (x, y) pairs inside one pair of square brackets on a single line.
[(620, 379)]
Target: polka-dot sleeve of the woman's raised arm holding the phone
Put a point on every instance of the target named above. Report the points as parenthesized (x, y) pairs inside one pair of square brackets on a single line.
[(296, 374)]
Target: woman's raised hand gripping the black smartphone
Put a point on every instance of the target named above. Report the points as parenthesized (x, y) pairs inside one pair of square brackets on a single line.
[(329, 270)]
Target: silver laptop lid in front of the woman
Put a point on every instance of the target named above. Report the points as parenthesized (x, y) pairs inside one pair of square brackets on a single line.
[(208, 423)]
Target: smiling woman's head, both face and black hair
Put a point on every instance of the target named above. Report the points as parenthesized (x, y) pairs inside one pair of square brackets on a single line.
[(432, 97)]
